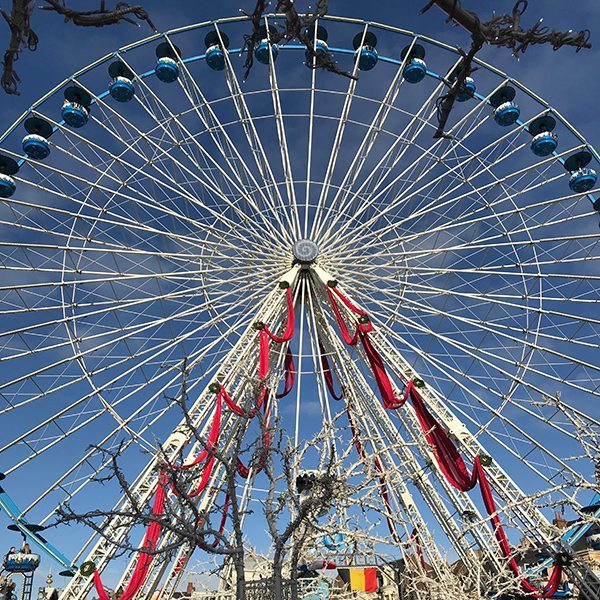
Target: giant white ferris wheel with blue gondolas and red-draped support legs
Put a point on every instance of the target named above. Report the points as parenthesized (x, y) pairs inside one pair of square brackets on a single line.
[(435, 299)]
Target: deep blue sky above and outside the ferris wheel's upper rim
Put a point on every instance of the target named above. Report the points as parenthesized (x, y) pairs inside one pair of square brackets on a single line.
[(567, 80)]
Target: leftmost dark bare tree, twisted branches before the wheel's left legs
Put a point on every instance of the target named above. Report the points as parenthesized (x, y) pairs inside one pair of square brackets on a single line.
[(182, 518)]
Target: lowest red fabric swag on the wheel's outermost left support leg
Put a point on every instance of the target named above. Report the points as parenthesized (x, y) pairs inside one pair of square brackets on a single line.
[(144, 560)]
